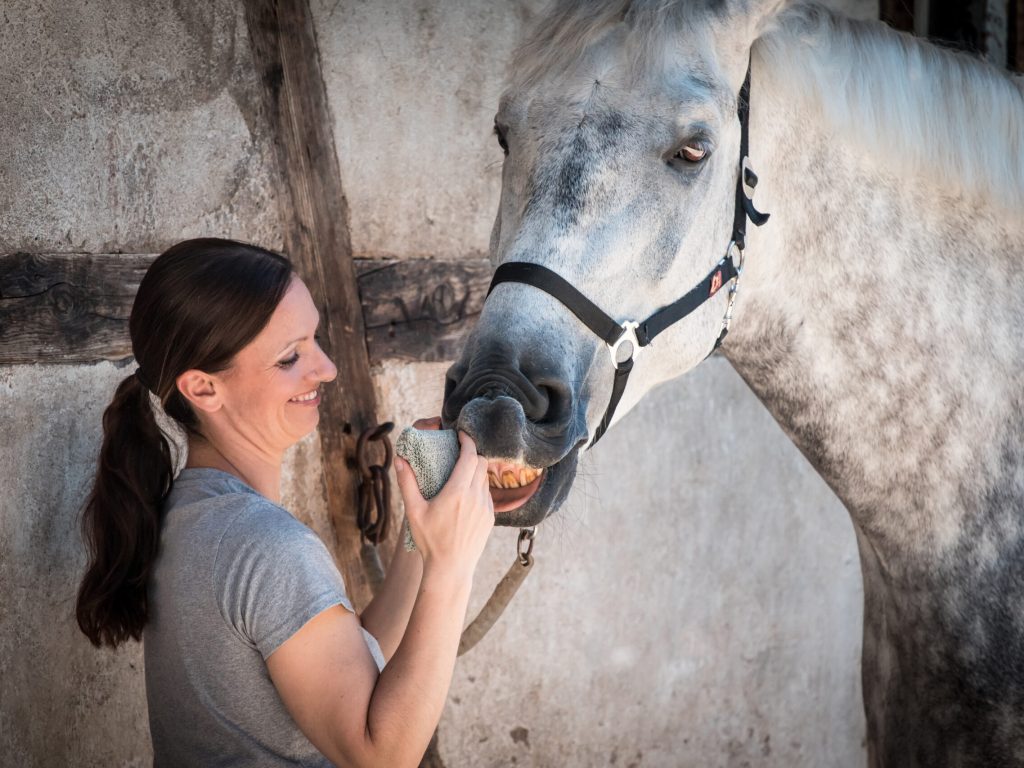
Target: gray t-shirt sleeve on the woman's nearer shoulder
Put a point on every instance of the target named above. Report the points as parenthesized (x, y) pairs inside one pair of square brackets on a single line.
[(272, 576)]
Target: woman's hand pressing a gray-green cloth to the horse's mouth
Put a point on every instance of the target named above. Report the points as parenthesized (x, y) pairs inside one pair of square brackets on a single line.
[(452, 529)]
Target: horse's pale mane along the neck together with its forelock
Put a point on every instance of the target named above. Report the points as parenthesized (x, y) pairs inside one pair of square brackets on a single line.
[(924, 111)]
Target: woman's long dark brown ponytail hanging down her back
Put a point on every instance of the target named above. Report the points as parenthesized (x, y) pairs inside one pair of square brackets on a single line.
[(121, 523)]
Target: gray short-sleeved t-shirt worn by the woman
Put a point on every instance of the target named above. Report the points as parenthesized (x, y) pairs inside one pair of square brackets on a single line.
[(236, 577)]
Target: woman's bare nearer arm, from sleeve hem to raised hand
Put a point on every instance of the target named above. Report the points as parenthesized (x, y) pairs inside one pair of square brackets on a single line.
[(325, 673)]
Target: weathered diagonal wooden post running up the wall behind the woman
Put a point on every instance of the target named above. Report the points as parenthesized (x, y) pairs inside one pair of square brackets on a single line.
[(315, 217)]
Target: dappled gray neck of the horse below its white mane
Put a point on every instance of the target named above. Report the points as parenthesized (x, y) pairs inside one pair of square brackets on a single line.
[(880, 321)]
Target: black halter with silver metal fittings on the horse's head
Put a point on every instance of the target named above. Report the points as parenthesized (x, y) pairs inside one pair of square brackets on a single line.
[(642, 334)]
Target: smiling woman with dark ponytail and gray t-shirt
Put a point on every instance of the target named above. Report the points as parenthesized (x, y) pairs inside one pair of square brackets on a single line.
[(253, 653)]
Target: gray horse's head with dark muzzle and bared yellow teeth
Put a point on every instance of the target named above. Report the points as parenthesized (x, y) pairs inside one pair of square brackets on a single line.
[(622, 153)]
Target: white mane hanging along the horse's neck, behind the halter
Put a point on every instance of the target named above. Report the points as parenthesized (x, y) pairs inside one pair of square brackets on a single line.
[(922, 110)]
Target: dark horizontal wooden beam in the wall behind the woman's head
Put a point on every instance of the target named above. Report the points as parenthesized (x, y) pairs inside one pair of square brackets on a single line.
[(74, 308)]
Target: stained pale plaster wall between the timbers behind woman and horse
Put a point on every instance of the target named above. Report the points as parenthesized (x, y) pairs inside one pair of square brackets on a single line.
[(675, 617)]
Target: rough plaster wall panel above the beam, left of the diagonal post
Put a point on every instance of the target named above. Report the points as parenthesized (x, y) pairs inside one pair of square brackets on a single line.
[(130, 126)]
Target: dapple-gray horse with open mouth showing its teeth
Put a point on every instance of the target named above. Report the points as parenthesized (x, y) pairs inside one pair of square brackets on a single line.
[(881, 319)]
